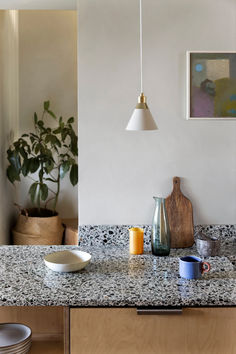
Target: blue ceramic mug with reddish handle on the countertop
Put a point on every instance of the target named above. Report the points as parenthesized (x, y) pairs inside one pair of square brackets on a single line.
[(191, 267)]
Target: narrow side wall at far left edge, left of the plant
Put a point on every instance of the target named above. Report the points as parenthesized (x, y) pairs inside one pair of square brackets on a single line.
[(8, 113)]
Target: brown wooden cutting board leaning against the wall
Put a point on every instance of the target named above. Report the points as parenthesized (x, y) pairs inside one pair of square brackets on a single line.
[(180, 217)]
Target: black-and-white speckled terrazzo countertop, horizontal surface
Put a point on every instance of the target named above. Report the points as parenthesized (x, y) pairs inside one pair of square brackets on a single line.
[(114, 278)]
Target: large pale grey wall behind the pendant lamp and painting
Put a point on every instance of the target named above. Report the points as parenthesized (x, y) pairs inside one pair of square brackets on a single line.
[(120, 171)]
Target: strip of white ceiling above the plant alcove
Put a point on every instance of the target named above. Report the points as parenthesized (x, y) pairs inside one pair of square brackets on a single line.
[(38, 4)]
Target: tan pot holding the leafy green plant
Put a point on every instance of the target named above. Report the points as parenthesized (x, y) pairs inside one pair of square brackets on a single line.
[(35, 230)]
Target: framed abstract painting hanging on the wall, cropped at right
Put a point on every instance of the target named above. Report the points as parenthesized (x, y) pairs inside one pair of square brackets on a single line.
[(211, 85)]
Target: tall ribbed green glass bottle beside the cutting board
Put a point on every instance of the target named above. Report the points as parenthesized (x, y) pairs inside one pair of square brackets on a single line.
[(160, 238)]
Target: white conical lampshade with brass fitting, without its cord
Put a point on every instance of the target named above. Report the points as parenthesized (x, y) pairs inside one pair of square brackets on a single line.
[(141, 118)]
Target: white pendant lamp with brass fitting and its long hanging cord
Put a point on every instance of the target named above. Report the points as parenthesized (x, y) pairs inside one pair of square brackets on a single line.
[(141, 118)]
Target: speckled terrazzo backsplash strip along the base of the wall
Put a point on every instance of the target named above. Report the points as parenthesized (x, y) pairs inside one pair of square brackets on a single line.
[(97, 235)]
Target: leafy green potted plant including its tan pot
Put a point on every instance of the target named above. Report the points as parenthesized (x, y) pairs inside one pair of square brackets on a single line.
[(44, 156)]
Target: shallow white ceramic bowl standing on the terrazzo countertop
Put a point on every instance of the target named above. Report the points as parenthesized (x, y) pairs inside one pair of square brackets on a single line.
[(67, 261)]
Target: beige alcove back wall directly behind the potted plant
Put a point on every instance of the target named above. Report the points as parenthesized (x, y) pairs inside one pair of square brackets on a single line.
[(48, 70)]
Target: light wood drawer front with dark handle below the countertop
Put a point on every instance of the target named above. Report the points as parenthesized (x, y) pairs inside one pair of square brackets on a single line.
[(122, 331)]
